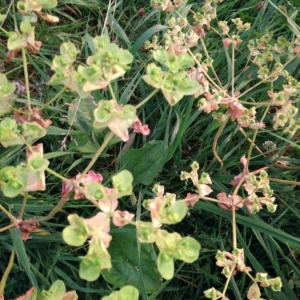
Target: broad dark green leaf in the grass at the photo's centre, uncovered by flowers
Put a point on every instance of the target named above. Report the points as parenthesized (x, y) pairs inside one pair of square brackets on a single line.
[(145, 163)]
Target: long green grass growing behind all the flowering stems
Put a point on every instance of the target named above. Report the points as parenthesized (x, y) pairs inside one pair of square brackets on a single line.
[(271, 241)]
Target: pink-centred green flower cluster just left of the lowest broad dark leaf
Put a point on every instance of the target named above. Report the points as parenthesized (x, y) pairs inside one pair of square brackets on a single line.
[(96, 228)]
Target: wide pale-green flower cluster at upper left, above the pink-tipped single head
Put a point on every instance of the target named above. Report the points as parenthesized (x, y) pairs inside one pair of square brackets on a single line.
[(107, 63)]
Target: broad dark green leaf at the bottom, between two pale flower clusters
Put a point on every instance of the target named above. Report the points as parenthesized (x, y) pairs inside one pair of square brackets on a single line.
[(126, 266)]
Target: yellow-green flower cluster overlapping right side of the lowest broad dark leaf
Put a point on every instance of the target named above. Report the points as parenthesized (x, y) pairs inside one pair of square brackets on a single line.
[(164, 209)]
